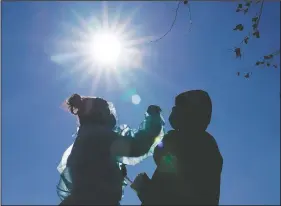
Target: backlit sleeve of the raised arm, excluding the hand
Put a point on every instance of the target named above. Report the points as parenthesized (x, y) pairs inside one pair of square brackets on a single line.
[(132, 146)]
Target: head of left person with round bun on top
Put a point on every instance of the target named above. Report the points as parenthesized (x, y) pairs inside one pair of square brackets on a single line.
[(92, 110)]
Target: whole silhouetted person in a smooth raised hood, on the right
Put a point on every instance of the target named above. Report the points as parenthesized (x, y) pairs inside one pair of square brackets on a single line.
[(189, 163)]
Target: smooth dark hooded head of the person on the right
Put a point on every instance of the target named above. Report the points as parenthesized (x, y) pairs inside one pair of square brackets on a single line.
[(192, 111)]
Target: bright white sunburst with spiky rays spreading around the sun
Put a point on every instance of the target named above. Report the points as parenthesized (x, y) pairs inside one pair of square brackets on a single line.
[(95, 47)]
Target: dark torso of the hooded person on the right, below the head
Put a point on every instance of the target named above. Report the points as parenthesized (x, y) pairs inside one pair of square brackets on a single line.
[(191, 170)]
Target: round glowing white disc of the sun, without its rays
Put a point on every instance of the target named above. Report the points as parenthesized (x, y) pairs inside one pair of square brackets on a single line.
[(106, 48)]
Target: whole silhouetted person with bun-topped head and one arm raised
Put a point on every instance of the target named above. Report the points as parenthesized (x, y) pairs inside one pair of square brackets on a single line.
[(91, 169)]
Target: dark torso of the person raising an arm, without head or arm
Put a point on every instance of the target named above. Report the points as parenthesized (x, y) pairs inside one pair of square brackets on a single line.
[(94, 170)]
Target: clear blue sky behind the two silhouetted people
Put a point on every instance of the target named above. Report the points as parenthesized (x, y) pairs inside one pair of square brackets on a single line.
[(246, 113)]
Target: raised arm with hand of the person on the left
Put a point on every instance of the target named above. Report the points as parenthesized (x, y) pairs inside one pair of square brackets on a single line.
[(130, 143)]
